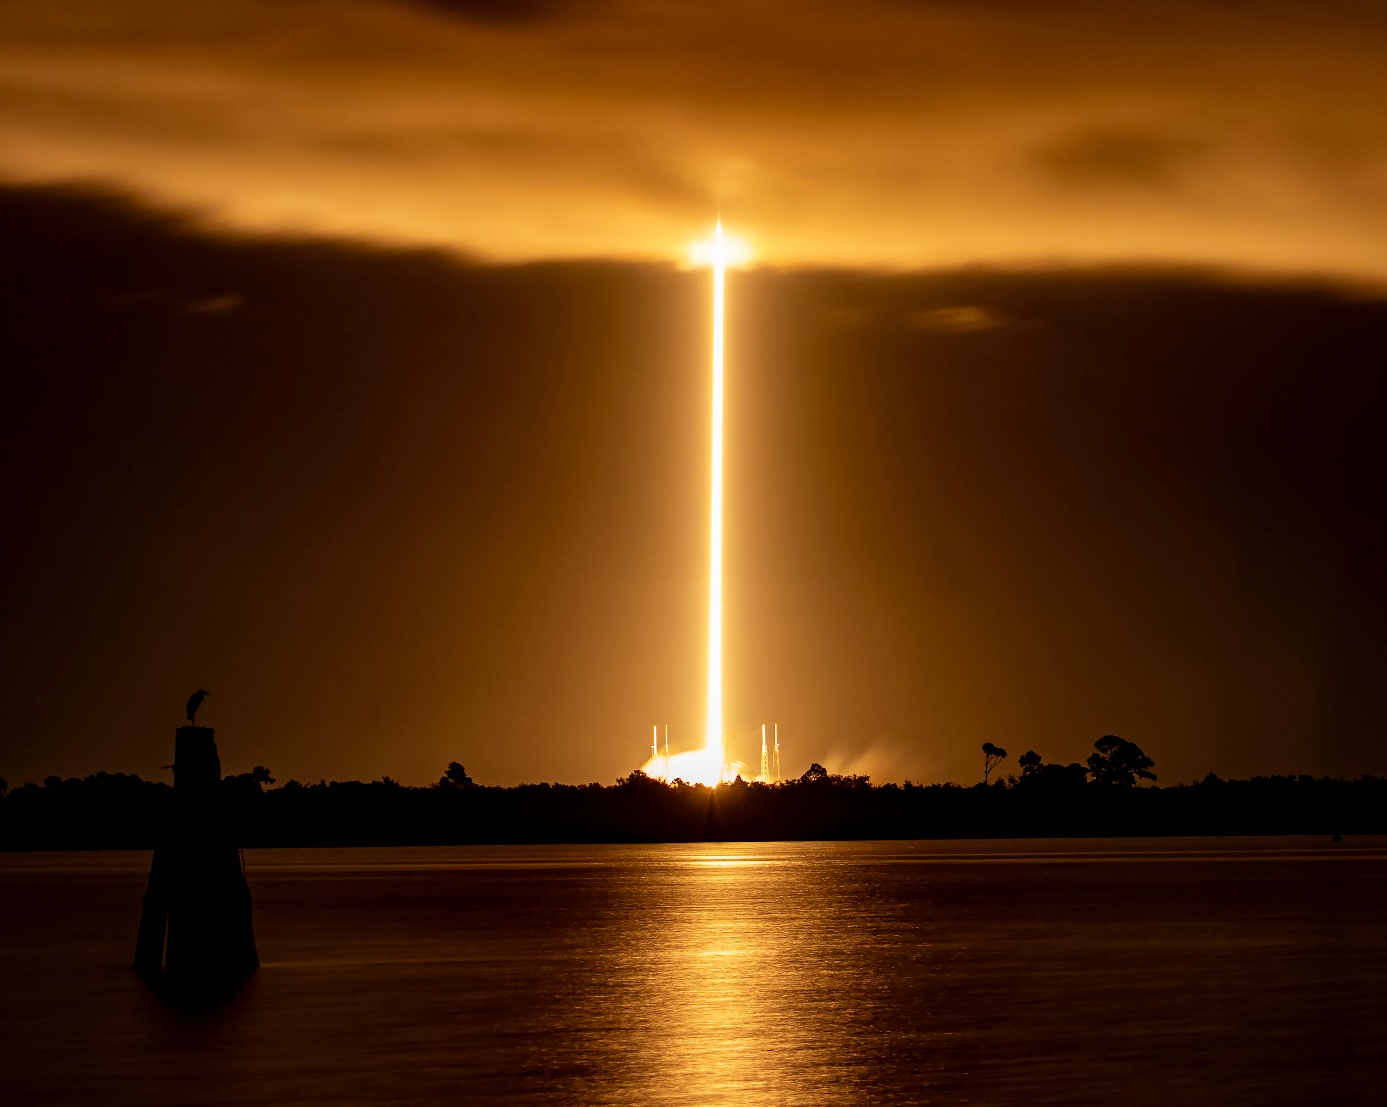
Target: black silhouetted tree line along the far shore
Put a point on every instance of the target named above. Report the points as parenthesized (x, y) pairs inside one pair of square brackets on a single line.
[(1101, 798)]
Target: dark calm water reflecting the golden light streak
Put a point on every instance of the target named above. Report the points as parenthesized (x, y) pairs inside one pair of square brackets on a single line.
[(1169, 972)]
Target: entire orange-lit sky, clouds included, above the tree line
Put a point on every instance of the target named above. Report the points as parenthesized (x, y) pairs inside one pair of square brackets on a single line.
[(397, 508)]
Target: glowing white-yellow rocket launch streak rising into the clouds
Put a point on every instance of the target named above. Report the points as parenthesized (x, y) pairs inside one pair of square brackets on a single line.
[(705, 766)]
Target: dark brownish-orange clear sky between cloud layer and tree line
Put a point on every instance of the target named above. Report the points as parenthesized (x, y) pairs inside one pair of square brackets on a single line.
[(396, 511)]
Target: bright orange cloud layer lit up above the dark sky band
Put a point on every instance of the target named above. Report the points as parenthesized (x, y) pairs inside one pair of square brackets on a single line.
[(865, 134)]
